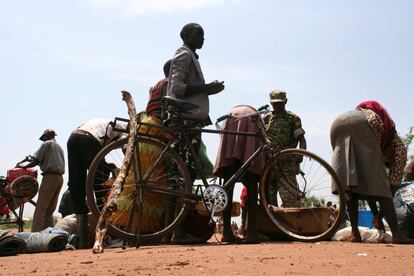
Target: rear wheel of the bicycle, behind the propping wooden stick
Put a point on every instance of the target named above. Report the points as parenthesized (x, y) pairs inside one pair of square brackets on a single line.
[(159, 170)]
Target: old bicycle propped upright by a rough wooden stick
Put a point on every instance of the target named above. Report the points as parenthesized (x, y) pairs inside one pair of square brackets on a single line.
[(157, 190)]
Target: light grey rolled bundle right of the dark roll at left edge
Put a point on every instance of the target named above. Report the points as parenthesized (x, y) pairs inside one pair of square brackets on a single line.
[(43, 242)]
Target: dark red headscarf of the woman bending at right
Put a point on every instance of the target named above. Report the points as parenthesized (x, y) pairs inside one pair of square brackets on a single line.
[(389, 125)]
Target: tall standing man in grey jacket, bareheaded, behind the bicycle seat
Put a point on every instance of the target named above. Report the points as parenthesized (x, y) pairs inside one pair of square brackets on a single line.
[(186, 82)]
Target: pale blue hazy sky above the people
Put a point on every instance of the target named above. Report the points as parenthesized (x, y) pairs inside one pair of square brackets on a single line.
[(64, 62)]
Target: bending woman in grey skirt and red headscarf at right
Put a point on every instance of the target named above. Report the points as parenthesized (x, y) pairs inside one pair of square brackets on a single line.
[(369, 158)]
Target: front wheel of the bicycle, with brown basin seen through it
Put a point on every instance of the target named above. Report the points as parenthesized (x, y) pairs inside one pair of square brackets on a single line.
[(295, 189)]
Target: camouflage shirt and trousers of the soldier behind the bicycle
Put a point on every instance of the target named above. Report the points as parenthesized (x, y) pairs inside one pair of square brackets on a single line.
[(284, 131)]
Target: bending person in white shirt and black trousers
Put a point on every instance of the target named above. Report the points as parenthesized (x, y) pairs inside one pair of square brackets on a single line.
[(83, 145)]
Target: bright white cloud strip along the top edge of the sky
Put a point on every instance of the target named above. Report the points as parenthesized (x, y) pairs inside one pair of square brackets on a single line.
[(143, 7)]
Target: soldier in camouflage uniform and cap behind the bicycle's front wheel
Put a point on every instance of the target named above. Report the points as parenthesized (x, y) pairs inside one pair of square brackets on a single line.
[(285, 131)]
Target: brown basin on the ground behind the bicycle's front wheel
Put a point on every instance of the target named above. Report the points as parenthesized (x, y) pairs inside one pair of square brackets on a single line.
[(299, 220)]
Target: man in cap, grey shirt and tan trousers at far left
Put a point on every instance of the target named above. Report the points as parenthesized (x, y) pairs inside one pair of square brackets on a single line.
[(51, 160)]
